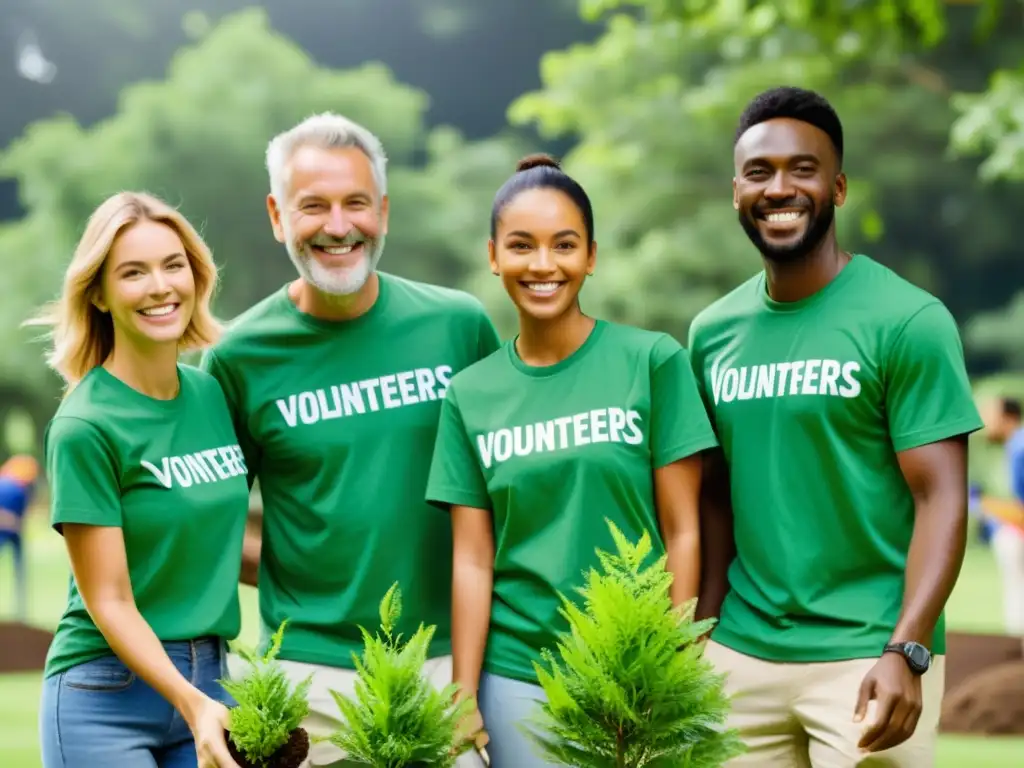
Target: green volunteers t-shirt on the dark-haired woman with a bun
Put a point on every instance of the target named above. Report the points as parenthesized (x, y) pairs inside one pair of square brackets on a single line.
[(552, 452)]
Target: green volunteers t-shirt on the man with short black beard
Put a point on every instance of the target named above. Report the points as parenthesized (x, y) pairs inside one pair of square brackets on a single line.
[(812, 402)]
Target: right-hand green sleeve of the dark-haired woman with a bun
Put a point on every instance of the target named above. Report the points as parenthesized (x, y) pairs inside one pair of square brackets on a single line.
[(679, 422)]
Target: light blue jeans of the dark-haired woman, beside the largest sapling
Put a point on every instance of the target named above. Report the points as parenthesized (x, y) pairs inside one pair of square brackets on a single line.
[(507, 706)]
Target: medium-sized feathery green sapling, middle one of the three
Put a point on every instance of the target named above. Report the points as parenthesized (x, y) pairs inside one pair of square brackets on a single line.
[(397, 719)]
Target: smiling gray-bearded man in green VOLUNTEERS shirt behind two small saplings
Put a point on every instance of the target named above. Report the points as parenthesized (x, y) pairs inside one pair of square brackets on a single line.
[(336, 382)]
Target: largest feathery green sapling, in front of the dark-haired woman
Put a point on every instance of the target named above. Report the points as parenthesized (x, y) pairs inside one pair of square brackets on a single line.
[(631, 689)]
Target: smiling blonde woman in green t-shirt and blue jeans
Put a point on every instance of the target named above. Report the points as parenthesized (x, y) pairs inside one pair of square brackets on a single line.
[(149, 489)]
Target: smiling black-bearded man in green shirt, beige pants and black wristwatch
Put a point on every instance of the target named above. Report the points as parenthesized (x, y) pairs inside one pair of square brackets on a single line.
[(834, 520)]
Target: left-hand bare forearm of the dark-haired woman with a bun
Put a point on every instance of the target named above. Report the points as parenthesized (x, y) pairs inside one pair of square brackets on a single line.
[(472, 587)]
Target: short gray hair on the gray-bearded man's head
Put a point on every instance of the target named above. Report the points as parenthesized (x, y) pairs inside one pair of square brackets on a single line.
[(327, 132)]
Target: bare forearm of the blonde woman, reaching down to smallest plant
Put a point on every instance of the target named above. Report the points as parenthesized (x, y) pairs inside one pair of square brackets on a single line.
[(135, 643)]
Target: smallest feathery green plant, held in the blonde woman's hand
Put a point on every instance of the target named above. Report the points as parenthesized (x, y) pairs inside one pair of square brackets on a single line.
[(269, 709)]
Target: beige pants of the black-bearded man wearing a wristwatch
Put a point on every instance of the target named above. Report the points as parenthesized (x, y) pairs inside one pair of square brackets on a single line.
[(801, 715)]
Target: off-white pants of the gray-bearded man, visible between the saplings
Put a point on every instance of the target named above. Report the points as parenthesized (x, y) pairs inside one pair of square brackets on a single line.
[(324, 715)]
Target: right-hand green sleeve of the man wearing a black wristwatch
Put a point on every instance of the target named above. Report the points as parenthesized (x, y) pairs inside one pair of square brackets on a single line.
[(928, 394)]
